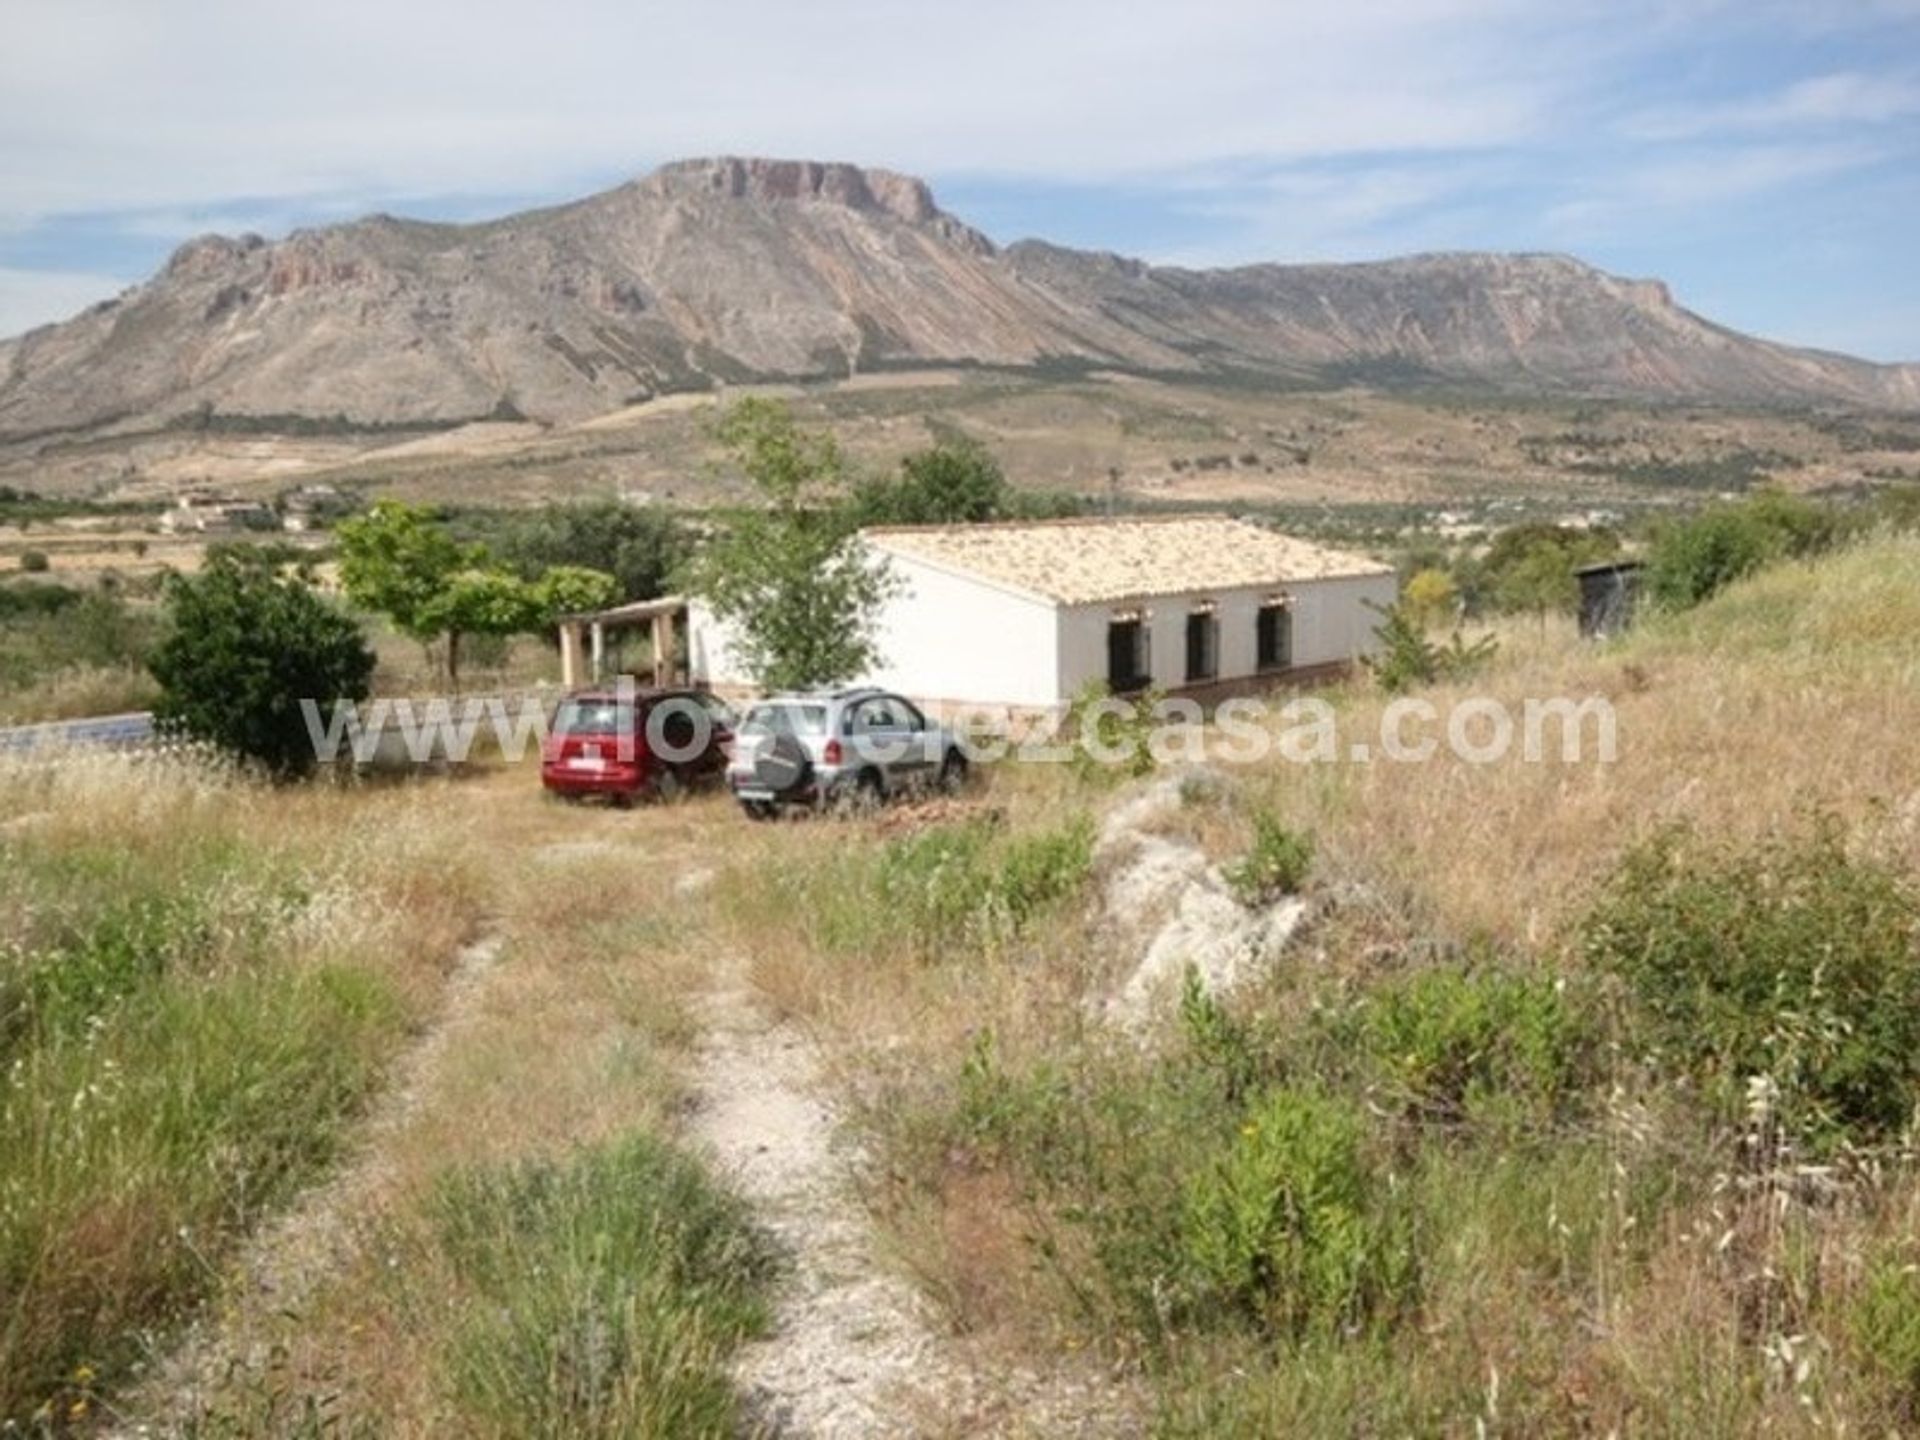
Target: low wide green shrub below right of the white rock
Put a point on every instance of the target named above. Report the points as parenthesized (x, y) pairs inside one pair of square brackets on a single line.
[(1476, 1045)]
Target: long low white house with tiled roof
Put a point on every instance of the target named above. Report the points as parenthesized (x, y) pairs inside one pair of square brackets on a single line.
[(1024, 615)]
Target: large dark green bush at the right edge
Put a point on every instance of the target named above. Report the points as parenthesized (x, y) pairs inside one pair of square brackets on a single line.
[(1792, 961)]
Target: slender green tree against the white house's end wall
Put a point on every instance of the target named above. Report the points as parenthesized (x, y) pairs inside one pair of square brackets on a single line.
[(788, 577)]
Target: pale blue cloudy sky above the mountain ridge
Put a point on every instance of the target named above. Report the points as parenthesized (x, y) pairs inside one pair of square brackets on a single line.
[(1762, 156)]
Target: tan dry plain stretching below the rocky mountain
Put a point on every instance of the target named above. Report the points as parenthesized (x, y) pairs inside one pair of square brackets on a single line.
[(1205, 443)]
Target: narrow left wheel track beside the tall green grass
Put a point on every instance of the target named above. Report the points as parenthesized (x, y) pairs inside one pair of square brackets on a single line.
[(285, 1264)]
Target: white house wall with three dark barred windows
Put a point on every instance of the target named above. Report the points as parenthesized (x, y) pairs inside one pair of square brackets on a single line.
[(1332, 625)]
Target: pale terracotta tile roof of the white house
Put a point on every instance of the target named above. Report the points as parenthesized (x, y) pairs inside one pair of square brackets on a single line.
[(1090, 562)]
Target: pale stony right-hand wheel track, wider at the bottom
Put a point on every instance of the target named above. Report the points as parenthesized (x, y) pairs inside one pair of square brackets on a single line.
[(855, 1351)]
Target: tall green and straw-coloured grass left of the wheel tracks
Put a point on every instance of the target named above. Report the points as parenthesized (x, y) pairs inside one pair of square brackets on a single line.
[(199, 990)]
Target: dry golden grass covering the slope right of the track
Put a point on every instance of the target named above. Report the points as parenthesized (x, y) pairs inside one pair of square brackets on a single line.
[(1625, 1272)]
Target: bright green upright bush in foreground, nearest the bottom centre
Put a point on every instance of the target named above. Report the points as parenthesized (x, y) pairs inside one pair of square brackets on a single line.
[(1293, 1228)]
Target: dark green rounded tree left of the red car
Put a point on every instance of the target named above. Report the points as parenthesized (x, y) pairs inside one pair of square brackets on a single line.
[(245, 648)]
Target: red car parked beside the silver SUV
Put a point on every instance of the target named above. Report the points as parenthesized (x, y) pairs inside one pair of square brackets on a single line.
[(627, 744)]
